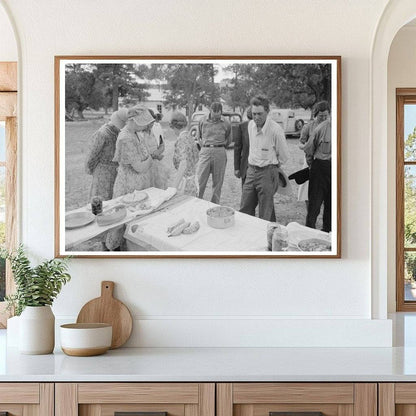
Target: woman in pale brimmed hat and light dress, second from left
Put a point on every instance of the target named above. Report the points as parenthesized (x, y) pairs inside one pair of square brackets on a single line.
[(132, 155)]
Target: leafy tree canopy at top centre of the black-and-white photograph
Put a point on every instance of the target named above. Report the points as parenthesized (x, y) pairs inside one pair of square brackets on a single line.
[(187, 85)]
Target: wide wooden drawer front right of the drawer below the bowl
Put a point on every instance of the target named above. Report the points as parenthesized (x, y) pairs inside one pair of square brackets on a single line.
[(331, 399)]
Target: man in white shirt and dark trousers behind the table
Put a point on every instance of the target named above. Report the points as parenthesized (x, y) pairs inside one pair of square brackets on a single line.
[(268, 150)]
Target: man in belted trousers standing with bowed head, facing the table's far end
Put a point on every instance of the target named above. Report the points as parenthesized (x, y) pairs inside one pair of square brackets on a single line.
[(215, 134)]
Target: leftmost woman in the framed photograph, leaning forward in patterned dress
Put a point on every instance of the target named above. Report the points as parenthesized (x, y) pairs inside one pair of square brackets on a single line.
[(99, 162)]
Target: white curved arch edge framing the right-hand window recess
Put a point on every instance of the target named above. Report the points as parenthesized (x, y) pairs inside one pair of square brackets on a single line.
[(396, 14)]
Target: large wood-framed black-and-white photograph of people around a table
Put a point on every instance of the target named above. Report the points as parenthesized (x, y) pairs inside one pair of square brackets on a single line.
[(197, 156)]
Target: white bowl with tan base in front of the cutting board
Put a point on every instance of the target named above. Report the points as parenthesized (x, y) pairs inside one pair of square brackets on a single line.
[(83, 340)]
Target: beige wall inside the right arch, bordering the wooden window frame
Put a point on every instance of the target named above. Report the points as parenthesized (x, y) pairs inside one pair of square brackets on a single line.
[(401, 74)]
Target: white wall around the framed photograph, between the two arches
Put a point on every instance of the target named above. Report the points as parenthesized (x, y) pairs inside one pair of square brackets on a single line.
[(179, 302)]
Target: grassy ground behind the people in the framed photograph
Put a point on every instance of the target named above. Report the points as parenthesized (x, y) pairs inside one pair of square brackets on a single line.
[(77, 182)]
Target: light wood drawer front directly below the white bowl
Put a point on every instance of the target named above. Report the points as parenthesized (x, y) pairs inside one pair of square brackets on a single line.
[(104, 399)]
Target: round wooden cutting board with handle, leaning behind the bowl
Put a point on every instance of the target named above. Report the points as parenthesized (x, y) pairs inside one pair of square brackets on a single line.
[(107, 309)]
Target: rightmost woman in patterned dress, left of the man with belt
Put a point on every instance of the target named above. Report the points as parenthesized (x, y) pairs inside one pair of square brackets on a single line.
[(185, 156)]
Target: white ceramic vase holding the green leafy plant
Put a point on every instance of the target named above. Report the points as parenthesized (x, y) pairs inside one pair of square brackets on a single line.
[(37, 330)]
